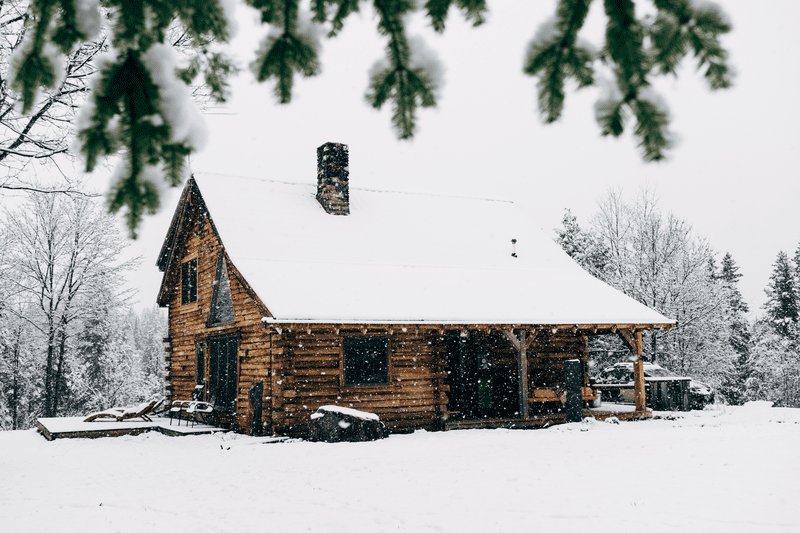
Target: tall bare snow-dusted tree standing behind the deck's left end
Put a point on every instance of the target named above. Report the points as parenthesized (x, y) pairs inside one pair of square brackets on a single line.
[(59, 247)]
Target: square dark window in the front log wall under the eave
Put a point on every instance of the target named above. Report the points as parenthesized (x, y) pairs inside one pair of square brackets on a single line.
[(366, 360)]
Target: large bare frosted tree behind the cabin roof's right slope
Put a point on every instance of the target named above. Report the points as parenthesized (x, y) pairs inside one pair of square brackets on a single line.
[(657, 259)]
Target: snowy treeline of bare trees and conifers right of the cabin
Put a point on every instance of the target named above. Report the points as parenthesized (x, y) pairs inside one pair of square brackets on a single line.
[(657, 258)]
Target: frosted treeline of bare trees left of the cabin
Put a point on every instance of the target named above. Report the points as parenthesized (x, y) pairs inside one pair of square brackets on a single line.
[(69, 341)]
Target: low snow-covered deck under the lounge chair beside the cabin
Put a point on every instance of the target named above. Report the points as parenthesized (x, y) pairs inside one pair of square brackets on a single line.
[(72, 427)]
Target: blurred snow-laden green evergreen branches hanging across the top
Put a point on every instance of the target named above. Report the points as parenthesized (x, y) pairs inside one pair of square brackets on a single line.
[(141, 108)]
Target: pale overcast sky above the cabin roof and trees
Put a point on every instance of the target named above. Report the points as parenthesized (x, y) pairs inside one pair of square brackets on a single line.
[(734, 174)]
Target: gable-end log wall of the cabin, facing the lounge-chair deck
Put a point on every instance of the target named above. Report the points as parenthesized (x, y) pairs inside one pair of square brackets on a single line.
[(188, 324)]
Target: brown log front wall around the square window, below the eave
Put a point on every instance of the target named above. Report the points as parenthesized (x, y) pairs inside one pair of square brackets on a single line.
[(311, 375)]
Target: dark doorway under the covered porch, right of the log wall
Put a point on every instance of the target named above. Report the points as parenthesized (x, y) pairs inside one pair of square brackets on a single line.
[(482, 375)]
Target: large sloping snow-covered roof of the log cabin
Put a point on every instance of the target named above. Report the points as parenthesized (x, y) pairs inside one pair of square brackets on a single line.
[(404, 257)]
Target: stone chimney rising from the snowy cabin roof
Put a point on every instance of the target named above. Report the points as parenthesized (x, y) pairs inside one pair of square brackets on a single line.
[(333, 169)]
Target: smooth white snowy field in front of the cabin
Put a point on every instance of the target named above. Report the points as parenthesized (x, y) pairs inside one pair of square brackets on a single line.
[(731, 470)]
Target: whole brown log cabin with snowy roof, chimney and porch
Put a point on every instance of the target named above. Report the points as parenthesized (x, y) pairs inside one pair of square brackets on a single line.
[(432, 311)]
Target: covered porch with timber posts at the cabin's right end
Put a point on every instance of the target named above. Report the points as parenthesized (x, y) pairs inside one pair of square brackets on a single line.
[(518, 377)]
